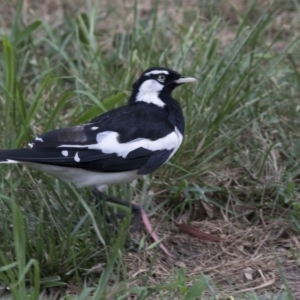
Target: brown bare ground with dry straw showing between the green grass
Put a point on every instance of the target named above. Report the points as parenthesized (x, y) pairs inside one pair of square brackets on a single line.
[(259, 249)]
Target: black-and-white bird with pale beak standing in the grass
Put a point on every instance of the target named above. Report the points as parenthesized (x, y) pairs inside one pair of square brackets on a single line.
[(119, 145)]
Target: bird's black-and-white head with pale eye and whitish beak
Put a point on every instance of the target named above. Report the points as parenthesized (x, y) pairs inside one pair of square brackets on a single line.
[(156, 82)]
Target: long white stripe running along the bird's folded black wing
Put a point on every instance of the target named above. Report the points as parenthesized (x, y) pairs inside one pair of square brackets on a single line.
[(108, 143)]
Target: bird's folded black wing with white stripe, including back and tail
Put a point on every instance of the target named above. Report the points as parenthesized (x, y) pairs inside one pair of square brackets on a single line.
[(121, 140)]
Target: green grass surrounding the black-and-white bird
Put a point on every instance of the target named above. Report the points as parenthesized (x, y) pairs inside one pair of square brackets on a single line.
[(240, 154)]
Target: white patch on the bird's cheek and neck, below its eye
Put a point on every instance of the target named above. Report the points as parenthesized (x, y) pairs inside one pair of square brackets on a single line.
[(148, 92)]
